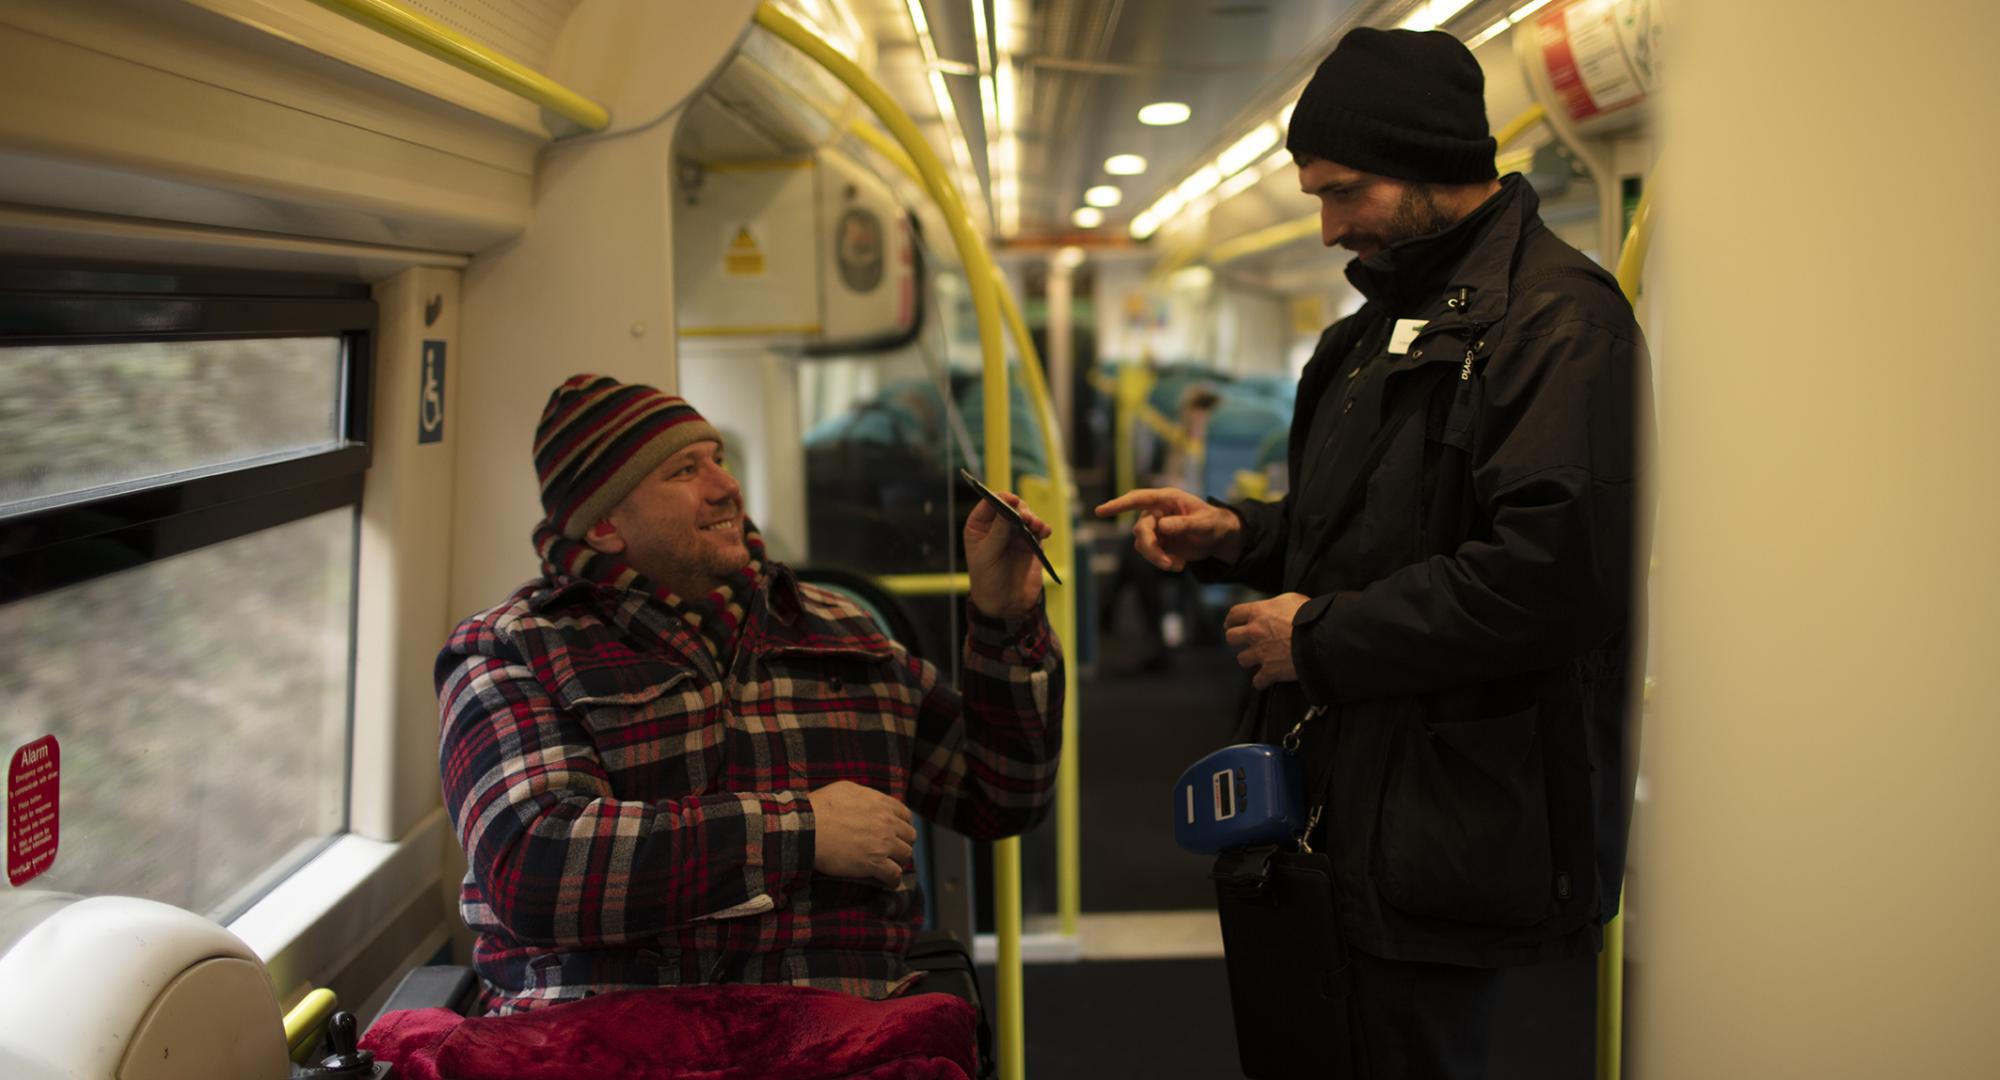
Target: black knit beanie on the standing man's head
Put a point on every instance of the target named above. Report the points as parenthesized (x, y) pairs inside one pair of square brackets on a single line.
[(1399, 103)]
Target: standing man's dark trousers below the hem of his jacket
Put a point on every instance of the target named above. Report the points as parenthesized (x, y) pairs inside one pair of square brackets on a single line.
[(1421, 1021)]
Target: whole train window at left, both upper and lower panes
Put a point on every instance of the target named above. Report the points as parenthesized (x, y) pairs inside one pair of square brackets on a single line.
[(181, 479)]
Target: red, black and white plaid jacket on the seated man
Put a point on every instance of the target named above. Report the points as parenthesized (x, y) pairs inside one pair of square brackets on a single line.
[(637, 813)]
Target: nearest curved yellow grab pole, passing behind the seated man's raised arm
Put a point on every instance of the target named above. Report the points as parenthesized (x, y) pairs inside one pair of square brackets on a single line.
[(999, 453)]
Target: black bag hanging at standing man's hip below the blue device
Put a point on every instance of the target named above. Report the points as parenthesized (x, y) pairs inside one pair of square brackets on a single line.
[(1289, 967)]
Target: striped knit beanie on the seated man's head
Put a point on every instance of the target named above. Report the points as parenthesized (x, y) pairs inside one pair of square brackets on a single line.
[(599, 439)]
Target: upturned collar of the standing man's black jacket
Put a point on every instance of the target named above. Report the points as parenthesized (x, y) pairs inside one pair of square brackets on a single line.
[(1463, 269)]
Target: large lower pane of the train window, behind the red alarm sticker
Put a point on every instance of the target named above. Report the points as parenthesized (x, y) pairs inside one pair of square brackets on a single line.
[(201, 705)]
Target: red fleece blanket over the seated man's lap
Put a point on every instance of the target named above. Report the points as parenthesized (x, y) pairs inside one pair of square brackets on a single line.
[(691, 1033)]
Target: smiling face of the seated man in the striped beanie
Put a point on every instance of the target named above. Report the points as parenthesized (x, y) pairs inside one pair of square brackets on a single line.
[(683, 527)]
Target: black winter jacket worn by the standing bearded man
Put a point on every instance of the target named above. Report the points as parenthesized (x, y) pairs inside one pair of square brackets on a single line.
[(1471, 573)]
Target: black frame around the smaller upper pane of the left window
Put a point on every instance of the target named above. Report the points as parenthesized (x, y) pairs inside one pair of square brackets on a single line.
[(45, 549)]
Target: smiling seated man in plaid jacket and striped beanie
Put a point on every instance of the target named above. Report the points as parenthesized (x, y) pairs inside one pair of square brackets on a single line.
[(673, 763)]
